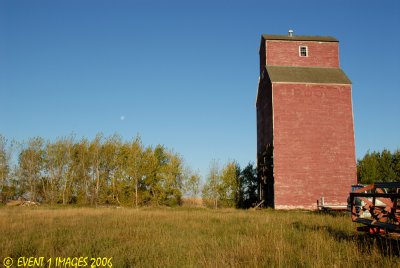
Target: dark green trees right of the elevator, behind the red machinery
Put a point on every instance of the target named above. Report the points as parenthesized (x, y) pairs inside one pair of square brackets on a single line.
[(379, 167)]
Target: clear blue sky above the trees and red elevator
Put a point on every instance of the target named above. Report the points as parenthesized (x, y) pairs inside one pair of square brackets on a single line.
[(182, 73)]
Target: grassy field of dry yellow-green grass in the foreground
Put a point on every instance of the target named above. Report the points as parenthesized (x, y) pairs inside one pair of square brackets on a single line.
[(192, 237)]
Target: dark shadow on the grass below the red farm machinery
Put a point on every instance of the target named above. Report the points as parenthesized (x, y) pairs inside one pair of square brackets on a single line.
[(386, 245)]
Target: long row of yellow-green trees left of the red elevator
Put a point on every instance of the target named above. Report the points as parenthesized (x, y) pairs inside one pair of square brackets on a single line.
[(108, 170)]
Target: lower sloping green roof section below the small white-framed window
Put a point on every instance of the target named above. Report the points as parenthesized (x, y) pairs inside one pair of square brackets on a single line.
[(307, 75)]
